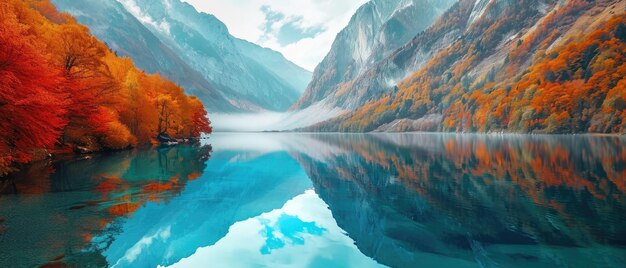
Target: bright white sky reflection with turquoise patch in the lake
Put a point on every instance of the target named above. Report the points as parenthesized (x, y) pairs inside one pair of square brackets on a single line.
[(302, 233)]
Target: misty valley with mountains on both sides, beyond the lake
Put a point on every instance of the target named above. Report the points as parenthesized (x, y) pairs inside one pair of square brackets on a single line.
[(530, 66)]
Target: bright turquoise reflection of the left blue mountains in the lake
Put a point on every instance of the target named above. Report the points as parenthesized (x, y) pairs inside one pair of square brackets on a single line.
[(235, 186)]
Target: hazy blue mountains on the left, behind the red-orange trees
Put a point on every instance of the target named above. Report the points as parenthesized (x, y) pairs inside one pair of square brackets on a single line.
[(173, 34)]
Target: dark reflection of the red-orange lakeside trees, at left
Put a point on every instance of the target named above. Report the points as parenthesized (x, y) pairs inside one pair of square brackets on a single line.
[(51, 212)]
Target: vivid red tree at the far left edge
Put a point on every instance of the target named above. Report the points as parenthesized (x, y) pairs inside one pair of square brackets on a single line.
[(32, 106)]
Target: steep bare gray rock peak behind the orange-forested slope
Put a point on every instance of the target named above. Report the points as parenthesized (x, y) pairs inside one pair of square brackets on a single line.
[(376, 30)]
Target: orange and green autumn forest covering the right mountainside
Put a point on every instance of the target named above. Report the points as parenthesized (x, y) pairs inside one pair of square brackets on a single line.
[(572, 88)]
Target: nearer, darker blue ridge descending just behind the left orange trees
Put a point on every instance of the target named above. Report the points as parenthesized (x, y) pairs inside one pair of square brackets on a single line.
[(123, 33)]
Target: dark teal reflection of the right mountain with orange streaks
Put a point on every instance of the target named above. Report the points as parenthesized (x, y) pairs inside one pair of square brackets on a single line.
[(411, 199)]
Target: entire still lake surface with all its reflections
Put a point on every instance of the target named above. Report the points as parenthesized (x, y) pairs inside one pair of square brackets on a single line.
[(326, 200)]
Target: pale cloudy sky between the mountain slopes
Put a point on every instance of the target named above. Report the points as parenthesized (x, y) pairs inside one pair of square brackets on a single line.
[(302, 30)]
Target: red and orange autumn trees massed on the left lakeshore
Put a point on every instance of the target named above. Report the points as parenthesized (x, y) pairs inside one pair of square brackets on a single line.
[(60, 85)]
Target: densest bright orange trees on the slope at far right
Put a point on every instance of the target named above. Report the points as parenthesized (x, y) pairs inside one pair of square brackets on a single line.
[(575, 88)]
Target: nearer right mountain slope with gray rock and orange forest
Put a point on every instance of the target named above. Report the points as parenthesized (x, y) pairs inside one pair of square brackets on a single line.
[(541, 66)]
